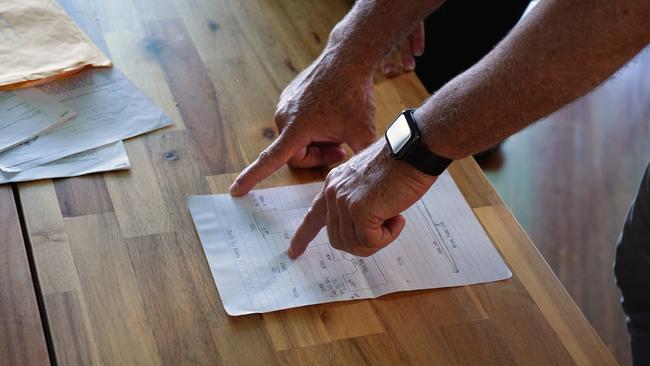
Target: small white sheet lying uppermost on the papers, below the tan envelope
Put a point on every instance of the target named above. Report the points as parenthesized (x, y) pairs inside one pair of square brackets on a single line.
[(26, 113)]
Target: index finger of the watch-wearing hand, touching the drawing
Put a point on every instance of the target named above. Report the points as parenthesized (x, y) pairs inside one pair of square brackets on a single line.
[(310, 226)]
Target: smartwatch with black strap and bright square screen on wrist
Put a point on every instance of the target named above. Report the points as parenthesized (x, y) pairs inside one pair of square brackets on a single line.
[(403, 137)]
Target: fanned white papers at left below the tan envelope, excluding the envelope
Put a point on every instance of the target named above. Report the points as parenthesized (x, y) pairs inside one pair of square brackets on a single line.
[(72, 126)]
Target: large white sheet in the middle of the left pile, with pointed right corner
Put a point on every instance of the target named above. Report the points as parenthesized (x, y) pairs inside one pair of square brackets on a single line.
[(109, 108)]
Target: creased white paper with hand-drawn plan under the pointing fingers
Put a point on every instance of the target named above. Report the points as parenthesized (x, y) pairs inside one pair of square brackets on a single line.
[(245, 241)]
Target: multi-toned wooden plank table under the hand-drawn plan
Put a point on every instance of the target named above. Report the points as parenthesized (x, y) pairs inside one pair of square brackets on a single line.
[(120, 269)]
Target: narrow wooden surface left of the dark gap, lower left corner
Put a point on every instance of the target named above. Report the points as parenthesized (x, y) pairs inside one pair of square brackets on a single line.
[(22, 339)]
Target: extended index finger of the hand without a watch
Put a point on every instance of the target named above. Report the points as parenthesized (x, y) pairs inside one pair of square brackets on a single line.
[(270, 159)]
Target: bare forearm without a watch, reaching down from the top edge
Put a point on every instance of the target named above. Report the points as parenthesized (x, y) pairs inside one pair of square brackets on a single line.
[(371, 29)]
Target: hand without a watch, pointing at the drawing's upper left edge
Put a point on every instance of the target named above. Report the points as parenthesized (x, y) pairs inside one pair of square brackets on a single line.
[(325, 106)]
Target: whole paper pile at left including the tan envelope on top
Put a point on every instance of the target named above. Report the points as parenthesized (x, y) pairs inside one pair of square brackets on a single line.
[(72, 122)]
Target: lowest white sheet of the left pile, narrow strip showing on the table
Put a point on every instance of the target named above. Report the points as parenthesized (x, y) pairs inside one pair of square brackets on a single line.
[(105, 158)]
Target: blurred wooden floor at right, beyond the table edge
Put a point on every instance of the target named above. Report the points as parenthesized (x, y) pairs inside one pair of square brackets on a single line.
[(569, 180)]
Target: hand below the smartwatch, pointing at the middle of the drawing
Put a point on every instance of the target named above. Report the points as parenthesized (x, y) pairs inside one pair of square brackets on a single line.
[(361, 203)]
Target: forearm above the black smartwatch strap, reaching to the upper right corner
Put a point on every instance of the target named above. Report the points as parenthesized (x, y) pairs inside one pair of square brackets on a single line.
[(562, 50)]
